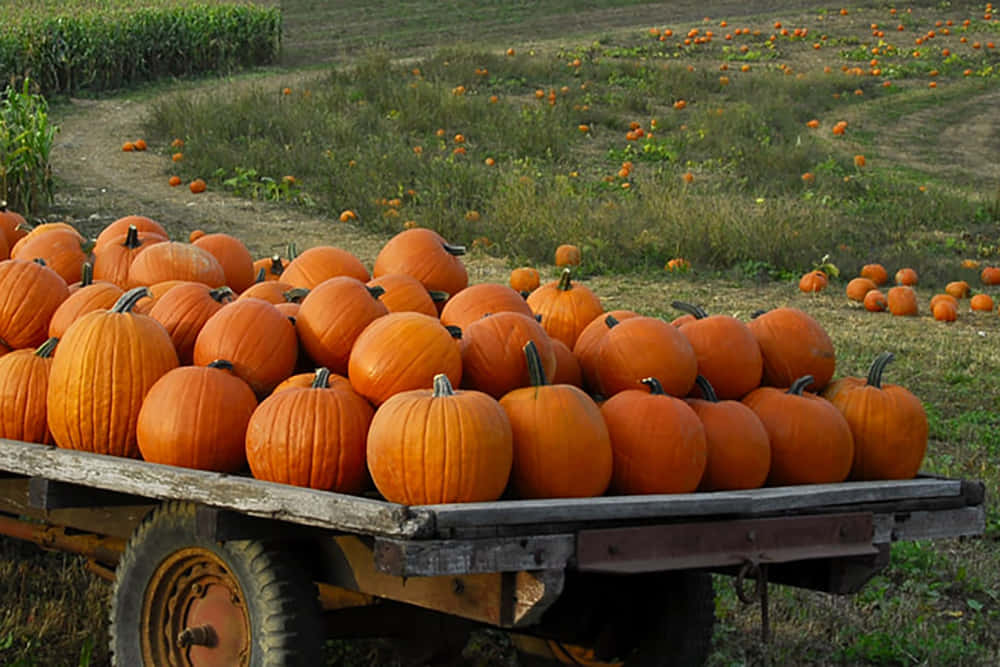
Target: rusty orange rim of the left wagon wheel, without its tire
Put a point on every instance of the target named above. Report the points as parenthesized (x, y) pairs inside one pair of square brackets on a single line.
[(194, 613)]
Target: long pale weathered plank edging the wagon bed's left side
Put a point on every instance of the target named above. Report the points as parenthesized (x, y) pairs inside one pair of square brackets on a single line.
[(254, 497)]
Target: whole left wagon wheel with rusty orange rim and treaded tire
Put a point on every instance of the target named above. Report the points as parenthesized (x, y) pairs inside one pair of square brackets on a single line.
[(187, 601)]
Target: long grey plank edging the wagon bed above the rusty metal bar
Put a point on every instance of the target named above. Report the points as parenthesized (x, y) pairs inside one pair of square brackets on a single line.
[(755, 502)]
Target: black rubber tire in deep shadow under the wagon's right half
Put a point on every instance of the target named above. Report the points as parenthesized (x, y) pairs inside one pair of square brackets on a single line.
[(667, 618)]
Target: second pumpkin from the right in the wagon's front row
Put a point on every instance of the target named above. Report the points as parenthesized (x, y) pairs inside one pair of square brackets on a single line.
[(811, 442)]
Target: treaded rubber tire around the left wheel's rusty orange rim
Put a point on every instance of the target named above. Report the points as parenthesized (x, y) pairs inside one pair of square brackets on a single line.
[(280, 600)]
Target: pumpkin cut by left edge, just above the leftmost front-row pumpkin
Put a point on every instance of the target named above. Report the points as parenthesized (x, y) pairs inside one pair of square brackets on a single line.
[(28, 283)]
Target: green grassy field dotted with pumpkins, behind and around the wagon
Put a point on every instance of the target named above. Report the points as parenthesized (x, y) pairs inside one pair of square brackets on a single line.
[(928, 196)]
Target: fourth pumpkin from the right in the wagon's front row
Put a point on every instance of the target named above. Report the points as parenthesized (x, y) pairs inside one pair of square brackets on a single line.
[(657, 441)]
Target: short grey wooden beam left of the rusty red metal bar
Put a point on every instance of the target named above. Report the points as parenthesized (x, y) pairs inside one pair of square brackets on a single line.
[(422, 558)]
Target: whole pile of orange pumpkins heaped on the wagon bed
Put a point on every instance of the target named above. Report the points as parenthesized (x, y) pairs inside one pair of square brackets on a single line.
[(311, 371)]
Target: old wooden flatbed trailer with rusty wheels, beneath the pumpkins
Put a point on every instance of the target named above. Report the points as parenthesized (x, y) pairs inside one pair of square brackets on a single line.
[(217, 569)]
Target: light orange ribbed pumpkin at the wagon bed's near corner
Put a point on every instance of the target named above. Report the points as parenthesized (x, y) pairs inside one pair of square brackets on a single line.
[(440, 446)]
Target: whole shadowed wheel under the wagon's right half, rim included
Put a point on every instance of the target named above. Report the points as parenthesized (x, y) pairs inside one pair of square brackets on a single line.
[(657, 620)]
